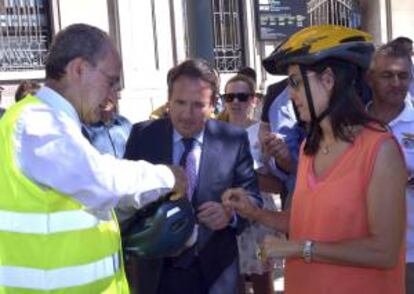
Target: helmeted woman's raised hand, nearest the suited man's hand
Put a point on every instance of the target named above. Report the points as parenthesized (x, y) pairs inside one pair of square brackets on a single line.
[(238, 199)]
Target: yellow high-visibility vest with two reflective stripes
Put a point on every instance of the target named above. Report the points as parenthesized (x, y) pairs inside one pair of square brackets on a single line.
[(49, 242)]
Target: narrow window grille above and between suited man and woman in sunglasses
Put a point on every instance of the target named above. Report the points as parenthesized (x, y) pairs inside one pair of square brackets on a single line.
[(228, 39)]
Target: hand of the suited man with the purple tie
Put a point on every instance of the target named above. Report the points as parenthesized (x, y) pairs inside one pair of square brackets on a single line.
[(214, 215)]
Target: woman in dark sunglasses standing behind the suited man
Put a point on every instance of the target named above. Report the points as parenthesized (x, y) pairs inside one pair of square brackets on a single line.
[(240, 102)]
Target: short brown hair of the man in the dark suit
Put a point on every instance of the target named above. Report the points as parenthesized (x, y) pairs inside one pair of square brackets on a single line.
[(194, 68)]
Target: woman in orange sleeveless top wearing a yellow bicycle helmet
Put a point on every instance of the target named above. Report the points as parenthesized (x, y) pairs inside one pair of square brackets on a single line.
[(347, 220)]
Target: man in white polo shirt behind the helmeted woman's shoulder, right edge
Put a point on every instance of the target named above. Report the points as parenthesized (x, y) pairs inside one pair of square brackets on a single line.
[(389, 77)]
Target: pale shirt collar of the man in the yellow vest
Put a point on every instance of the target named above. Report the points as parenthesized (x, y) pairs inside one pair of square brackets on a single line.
[(58, 103)]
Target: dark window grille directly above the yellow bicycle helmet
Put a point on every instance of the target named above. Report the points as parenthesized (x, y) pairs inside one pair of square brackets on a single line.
[(338, 12)]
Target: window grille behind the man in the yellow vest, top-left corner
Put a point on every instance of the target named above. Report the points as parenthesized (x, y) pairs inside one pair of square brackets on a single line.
[(25, 34)]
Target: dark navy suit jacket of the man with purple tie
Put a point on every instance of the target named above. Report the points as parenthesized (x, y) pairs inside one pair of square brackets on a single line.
[(225, 162)]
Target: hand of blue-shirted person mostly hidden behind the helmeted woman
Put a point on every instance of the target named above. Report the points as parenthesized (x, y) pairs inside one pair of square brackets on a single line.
[(273, 145)]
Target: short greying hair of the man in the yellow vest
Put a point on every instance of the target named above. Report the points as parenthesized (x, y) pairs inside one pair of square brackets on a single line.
[(77, 40)]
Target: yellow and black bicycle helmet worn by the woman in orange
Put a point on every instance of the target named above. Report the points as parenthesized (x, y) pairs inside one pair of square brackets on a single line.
[(313, 44)]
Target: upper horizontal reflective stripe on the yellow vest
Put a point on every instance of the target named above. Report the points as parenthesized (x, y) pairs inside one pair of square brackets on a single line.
[(47, 223)]
